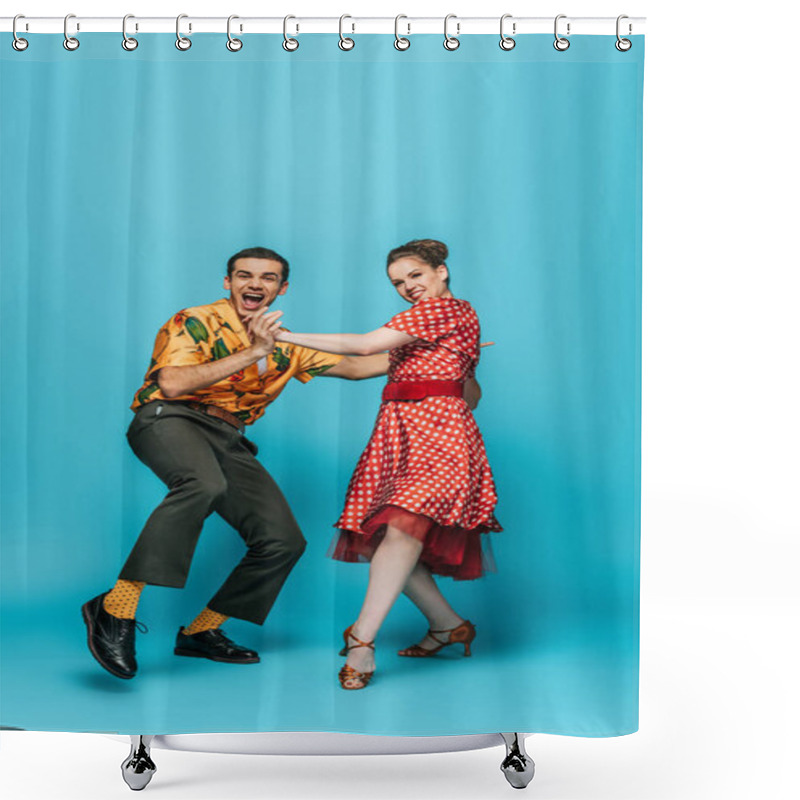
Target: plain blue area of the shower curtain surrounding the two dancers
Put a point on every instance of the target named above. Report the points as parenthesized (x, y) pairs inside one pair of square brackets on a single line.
[(129, 179)]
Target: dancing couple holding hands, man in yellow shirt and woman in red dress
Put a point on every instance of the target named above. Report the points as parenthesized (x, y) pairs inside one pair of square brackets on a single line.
[(417, 505)]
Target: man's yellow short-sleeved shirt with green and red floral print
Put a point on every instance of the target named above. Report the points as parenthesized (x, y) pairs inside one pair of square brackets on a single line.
[(207, 333)]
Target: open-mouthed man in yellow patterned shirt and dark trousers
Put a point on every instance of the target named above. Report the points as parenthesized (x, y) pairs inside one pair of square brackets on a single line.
[(214, 370)]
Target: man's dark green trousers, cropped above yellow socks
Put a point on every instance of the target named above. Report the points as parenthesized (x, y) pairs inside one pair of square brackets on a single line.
[(208, 466)]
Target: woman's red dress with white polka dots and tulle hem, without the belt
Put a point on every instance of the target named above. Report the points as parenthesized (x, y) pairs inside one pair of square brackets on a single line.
[(424, 469)]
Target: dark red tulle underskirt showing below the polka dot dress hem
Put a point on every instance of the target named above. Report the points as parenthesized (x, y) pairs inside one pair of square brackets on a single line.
[(451, 551)]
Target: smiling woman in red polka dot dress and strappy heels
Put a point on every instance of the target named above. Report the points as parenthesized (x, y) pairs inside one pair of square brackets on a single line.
[(422, 493)]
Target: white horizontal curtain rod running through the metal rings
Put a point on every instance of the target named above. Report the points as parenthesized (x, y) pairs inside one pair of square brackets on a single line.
[(245, 25)]
